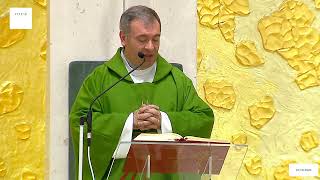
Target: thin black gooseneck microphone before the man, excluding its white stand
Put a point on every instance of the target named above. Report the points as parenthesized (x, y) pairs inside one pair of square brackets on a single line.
[(89, 114)]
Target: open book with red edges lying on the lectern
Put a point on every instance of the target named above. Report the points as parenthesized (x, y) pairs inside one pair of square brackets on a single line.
[(173, 137)]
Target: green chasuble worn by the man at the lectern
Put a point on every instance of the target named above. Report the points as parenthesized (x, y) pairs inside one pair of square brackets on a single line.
[(171, 90)]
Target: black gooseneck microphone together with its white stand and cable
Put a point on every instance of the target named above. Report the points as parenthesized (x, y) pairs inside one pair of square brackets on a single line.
[(88, 120)]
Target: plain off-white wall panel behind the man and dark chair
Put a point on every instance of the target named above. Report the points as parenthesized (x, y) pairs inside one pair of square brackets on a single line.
[(88, 30)]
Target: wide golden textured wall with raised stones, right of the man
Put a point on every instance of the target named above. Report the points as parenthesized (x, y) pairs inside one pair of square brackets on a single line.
[(259, 69)]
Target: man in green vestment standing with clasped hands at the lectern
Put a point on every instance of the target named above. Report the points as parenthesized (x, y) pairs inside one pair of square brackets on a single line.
[(157, 97)]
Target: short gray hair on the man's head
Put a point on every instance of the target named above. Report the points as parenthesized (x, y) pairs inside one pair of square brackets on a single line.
[(146, 14)]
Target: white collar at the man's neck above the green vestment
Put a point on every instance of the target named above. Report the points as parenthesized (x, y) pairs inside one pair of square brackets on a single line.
[(140, 76)]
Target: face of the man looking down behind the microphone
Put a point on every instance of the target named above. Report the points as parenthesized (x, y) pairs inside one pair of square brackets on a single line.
[(143, 37)]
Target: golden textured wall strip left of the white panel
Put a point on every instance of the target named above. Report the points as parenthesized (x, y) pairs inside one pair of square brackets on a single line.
[(23, 74)]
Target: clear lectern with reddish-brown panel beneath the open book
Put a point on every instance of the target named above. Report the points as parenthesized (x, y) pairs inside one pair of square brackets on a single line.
[(182, 160)]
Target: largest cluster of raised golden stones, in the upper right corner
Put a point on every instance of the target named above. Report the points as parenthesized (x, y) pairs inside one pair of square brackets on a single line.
[(288, 32)]
